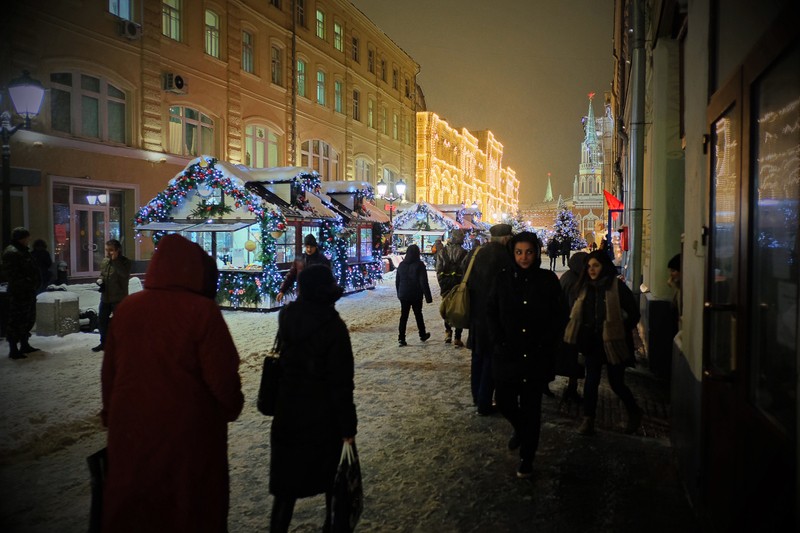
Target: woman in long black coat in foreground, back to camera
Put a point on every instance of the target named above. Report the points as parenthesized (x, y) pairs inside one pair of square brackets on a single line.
[(314, 412)]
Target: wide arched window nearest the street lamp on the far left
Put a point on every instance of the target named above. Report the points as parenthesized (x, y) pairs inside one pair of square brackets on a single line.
[(87, 106)]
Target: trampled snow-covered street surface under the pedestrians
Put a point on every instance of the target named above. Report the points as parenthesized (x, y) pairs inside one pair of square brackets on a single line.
[(430, 464)]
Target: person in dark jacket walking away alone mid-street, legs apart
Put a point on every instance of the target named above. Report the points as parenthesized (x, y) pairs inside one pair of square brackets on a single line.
[(411, 282)]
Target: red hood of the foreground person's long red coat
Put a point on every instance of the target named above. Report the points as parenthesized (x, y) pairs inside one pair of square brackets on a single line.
[(181, 265)]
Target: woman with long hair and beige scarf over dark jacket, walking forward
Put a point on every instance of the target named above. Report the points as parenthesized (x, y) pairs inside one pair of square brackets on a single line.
[(601, 323)]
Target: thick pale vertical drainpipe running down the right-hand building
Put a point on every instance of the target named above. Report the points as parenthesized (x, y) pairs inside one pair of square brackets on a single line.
[(636, 163)]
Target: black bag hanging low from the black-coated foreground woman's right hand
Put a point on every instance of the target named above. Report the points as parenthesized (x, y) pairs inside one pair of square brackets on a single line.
[(348, 492)]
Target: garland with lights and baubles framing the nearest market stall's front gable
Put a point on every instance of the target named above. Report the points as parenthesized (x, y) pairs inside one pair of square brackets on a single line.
[(235, 287)]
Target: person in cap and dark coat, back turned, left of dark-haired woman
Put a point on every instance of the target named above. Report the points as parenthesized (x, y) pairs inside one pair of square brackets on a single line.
[(493, 258)]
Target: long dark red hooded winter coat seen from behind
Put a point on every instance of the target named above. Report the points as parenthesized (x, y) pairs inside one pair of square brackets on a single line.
[(170, 385)]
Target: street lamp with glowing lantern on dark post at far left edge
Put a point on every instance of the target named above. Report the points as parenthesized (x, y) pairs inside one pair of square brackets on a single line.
[(27, 95)]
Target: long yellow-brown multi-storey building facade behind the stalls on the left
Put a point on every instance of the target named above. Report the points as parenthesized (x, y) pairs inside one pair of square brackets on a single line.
[(135, 90)]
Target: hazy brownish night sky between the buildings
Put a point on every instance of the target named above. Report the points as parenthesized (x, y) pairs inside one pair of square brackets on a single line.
[(521, 68)]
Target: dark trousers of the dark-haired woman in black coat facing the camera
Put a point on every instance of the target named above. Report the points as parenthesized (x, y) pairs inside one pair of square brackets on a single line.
[(521, 405)]
